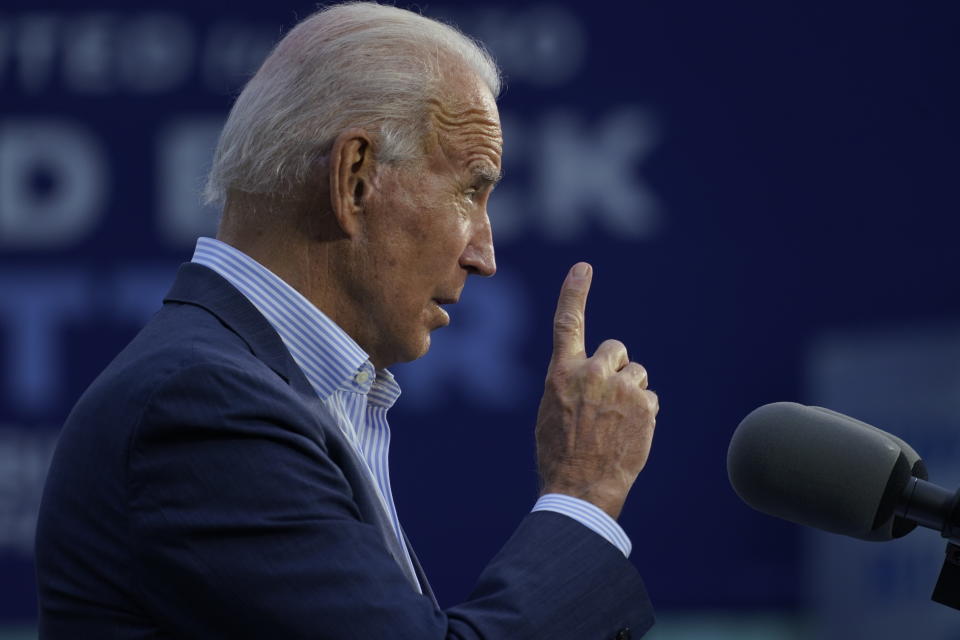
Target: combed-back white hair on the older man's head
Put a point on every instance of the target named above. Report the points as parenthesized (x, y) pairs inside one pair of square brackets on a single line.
[(354, 64)]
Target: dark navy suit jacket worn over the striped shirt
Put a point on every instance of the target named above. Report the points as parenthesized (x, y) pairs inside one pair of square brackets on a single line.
[(200, 490)]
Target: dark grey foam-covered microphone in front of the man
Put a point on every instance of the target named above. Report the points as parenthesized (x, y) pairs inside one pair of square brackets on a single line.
[(826, 470)]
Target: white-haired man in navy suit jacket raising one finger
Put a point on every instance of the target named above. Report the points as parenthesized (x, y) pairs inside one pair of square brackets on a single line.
[(226, 476)]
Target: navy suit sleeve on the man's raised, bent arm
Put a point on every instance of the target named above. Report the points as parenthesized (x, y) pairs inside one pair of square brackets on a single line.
[(245, 527)]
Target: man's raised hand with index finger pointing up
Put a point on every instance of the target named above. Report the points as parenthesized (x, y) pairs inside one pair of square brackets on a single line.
[(596, 417)]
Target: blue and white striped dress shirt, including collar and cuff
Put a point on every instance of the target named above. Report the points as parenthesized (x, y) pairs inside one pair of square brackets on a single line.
[(344, 378)]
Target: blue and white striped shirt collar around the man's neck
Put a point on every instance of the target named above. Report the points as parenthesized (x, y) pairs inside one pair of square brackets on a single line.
[(329, 358)]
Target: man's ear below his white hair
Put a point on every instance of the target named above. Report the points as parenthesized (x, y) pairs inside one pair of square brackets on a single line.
[(352, 167)]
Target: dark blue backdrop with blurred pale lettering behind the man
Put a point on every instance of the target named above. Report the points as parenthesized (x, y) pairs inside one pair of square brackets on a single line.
[(767, 192)]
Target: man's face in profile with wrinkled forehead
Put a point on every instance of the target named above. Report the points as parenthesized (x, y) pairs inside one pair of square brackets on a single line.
[(426, 226)]
